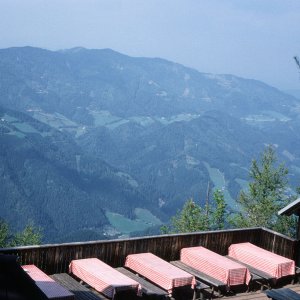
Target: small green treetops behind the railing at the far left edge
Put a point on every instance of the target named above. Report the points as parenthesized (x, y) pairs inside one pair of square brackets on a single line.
[(31, 235)]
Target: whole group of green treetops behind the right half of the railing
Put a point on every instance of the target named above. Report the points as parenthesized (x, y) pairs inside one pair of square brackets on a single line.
[(259, 205)]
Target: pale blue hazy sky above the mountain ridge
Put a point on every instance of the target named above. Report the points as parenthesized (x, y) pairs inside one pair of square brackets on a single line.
[(249, 38)]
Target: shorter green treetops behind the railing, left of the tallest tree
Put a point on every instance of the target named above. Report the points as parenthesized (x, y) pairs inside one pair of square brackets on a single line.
[(193, 217)]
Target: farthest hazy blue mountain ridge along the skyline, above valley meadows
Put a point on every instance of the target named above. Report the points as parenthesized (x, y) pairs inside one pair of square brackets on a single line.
[(83, 84)]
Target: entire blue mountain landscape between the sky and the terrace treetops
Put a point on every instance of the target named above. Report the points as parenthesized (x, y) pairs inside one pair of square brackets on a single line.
[(122, 142)]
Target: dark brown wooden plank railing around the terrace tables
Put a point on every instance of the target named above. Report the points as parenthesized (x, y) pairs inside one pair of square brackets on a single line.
[(56, 258)]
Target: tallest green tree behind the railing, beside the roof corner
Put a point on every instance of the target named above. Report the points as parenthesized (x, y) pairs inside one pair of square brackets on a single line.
[(265, 196)]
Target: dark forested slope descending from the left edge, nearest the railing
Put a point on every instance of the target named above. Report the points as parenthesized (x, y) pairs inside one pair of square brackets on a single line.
[(45, 176)]
